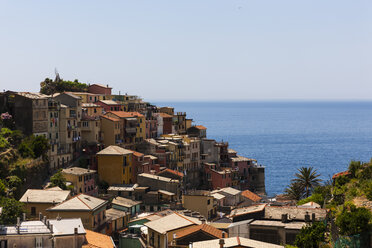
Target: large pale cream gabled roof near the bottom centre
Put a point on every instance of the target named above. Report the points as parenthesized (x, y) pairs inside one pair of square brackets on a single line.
[(170, 222)]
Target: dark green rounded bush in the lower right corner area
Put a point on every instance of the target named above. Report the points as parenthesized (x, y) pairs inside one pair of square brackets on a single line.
[(354, 220)]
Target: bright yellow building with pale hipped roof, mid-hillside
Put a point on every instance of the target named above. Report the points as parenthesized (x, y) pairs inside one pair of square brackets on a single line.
[(115, 165)]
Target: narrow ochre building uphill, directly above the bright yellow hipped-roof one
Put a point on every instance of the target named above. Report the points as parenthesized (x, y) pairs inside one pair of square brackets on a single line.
[(111, 131)]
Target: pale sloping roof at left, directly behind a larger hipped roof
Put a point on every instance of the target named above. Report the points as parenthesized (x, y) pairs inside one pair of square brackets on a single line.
[(45, 196)]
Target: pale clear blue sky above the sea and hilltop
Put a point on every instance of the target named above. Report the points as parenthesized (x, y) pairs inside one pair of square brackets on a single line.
[(194, 50)]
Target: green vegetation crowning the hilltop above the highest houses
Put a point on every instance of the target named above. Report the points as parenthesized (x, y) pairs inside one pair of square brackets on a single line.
[(48, 86)]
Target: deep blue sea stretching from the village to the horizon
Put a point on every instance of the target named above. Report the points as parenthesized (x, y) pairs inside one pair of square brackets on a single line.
[(285, 136)]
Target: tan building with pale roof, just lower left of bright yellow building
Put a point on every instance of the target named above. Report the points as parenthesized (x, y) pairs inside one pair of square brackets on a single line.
[(82, 179)]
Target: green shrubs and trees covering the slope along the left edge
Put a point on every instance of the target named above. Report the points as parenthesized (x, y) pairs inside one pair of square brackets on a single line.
[(17, 163)]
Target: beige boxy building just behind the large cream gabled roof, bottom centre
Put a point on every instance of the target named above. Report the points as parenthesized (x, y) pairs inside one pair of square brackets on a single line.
[(202, 202)]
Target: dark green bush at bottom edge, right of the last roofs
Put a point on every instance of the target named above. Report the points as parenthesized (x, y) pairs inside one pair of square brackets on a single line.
[(311, 235)]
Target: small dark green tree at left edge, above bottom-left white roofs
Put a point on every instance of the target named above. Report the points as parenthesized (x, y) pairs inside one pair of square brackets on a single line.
[(11, 210)]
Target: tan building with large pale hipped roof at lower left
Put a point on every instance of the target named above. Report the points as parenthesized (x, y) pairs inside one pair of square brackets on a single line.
[(91, 210)]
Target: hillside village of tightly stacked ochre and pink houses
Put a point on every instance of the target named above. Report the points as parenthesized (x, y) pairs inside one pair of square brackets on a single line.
[(116, 171)]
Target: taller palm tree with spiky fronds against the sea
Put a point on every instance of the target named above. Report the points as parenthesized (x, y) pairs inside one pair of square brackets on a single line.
[(308, 179)]
